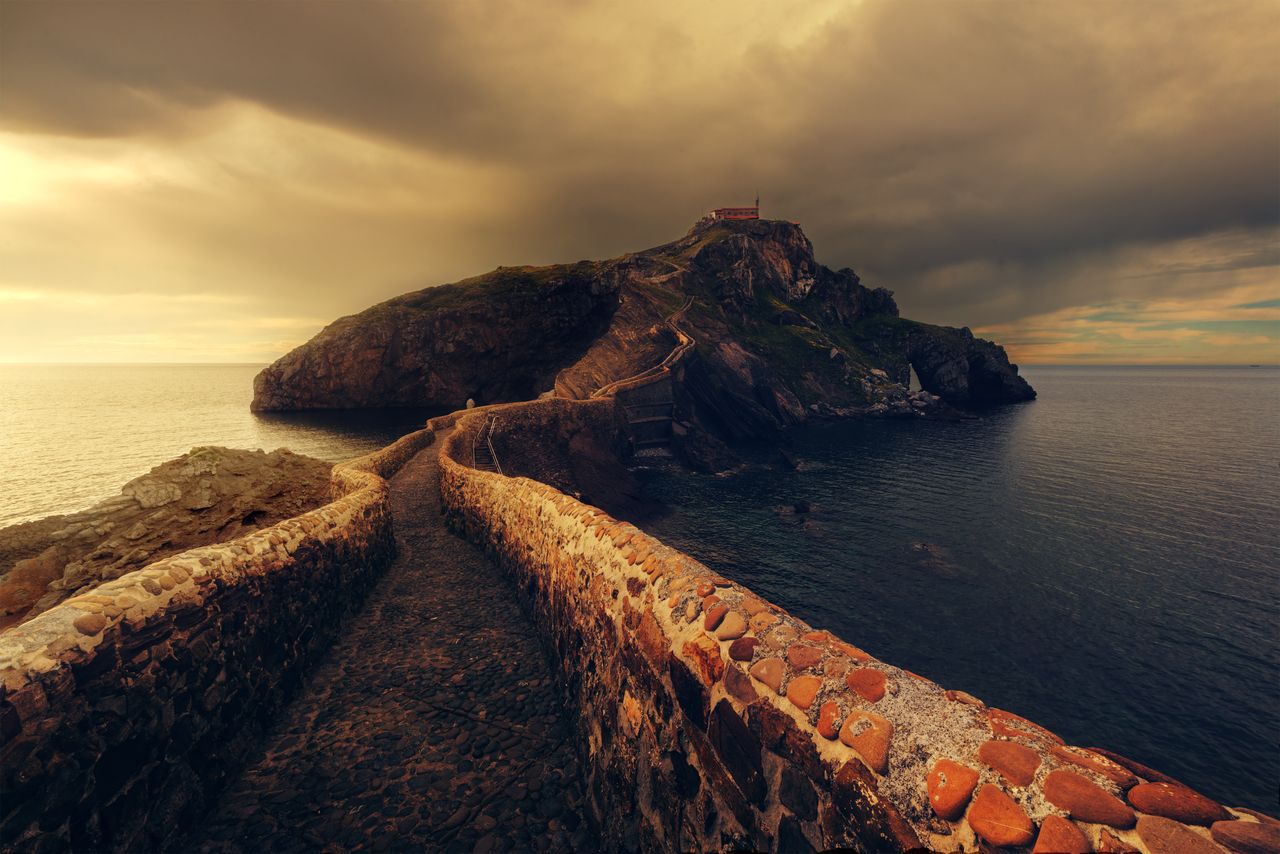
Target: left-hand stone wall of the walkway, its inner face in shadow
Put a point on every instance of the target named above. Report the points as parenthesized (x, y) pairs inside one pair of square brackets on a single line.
[(124, 711)]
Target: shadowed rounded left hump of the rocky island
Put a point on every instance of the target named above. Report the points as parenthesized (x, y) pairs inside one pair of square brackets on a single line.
[(500, 337)]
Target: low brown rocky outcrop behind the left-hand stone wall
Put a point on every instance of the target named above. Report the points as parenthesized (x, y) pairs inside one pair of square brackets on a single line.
[(205, 496)]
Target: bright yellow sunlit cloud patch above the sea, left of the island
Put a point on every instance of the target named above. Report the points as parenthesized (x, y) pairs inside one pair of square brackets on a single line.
[(253, 221)]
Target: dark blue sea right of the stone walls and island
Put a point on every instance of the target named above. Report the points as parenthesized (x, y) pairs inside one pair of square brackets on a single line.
[(1104, 561)]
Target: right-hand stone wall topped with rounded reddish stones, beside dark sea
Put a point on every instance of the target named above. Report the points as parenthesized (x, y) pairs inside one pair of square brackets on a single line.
[(710, 718)]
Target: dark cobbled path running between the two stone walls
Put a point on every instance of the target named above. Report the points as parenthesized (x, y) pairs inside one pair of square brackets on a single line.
[(432, 725)]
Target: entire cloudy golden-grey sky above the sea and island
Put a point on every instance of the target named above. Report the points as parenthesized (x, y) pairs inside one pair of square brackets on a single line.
[(217, 181)]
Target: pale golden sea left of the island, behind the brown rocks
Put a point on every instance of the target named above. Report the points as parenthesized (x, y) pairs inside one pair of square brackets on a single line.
[(74, 435)]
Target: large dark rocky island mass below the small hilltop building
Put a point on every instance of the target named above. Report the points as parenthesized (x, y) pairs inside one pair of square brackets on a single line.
[(780, 340)]
